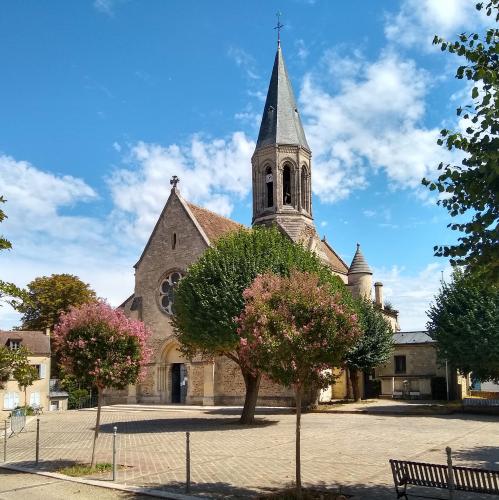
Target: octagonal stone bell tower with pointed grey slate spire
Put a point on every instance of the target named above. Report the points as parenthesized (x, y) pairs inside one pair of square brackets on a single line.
[(281, 163)]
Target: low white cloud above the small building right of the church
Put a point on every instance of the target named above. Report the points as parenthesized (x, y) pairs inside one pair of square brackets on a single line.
[(412, 292)]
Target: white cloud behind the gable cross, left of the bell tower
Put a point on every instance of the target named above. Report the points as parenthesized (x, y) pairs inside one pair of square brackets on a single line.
[(211, 173)]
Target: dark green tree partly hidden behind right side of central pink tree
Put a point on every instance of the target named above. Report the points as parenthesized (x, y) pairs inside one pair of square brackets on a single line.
[(373, 347)]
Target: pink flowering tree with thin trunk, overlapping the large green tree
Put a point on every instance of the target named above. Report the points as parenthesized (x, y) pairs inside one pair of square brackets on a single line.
[(295, 330)]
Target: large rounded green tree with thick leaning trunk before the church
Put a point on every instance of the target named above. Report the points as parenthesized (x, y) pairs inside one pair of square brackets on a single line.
[(210, 296)]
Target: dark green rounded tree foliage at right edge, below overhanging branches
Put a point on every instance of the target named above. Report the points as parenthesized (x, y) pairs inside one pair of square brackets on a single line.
[(464, 320)]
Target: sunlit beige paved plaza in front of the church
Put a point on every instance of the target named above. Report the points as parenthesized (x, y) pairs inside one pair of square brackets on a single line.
[(338, 450)]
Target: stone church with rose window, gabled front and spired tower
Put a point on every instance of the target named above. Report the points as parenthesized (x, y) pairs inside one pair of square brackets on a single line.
[(282, 195)]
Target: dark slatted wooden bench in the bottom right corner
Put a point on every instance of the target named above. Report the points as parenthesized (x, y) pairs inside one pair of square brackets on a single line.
[(448, 477)]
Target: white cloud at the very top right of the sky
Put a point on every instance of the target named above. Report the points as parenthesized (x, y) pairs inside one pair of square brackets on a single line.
[(418, 21)]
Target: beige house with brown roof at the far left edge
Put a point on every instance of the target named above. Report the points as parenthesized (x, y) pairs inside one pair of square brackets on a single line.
[(12, 396)]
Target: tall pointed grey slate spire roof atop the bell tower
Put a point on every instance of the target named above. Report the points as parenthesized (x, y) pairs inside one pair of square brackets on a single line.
[(281, 123)]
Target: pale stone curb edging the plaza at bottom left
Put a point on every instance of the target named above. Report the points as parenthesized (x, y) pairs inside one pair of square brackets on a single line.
[(102, 484)]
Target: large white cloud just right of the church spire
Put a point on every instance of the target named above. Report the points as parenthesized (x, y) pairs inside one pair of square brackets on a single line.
[(366, 121)]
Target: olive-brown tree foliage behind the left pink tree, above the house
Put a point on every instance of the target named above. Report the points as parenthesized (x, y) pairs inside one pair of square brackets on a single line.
[(50, 296)]
